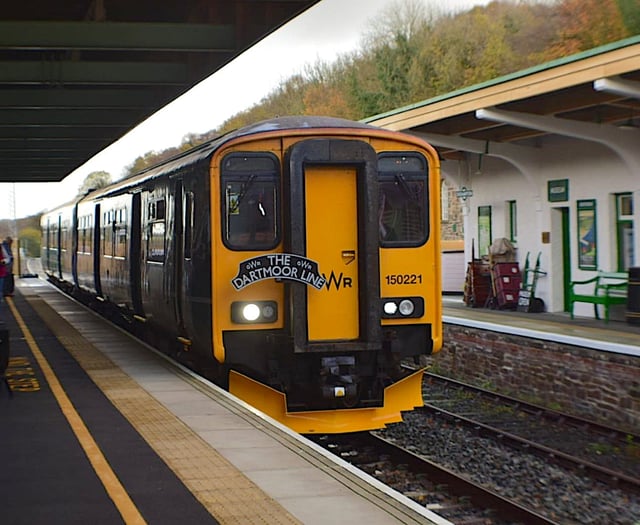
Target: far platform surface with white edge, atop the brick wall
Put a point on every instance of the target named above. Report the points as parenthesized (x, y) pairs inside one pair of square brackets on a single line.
[(615, 336)]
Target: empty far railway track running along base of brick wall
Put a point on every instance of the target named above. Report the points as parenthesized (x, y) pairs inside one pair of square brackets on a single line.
[(607, 454)]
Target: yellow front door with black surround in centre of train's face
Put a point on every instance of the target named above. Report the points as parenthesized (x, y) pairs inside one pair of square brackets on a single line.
[(332, 223)]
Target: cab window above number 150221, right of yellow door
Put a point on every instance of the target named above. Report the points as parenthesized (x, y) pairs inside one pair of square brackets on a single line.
[(403, 217)]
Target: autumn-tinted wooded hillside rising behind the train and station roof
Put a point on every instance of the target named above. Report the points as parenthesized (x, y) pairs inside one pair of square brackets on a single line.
[(412, 52)]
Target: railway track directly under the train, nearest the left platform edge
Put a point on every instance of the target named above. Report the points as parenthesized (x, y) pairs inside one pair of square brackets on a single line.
[(450, 495)]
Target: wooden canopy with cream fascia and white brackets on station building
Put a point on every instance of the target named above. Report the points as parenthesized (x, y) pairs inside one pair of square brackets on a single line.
[(593, 95)]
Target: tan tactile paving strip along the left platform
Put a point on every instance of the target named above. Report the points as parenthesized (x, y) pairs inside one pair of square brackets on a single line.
[(224, 491)]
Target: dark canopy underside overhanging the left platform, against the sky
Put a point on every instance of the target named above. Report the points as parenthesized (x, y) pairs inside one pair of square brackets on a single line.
[(76, 75)]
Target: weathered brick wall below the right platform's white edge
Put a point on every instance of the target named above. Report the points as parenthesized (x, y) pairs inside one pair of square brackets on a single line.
[(597, 385)]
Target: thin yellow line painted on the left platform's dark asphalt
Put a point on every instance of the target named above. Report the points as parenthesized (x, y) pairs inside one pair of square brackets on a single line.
[(110, 481)]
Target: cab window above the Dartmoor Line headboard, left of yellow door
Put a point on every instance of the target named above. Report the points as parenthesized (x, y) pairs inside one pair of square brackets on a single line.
[(250, 186)]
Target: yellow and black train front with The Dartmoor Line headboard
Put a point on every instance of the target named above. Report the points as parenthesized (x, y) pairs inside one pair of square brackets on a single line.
[(326, 273)]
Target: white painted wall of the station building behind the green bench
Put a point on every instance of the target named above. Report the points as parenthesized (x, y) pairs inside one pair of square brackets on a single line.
[(594, 171)]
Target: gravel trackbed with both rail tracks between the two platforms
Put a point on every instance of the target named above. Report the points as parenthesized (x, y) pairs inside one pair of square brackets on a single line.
[(487, 458)]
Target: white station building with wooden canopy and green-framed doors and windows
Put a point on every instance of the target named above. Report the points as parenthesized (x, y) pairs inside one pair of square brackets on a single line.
[(547, 158)]
